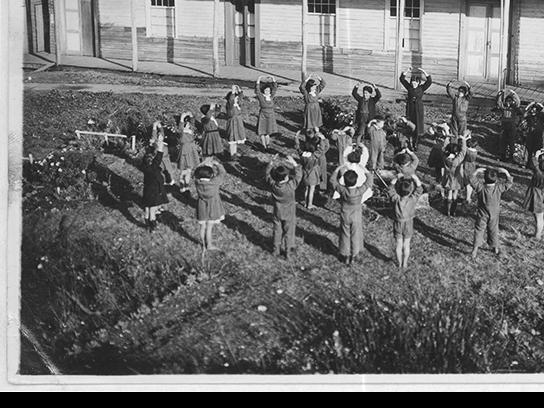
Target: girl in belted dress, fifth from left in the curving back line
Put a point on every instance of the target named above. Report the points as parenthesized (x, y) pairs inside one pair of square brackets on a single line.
[(267, 115)]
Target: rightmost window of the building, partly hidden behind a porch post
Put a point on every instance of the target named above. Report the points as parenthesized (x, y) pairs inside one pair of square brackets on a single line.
[(413, 12)]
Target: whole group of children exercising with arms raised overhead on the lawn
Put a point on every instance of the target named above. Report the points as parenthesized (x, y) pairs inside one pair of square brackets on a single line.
[(453, 157)]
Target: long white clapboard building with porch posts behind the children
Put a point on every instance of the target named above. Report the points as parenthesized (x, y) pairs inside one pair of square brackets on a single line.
[(481, 40)]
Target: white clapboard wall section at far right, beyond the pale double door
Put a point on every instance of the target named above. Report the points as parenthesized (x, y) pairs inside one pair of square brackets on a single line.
[(531, 48)]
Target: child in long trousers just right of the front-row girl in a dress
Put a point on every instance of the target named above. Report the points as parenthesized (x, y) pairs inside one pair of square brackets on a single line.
[(284, 182)]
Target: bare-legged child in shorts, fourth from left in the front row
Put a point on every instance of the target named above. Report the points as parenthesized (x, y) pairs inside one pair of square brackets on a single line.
[(405, 193)]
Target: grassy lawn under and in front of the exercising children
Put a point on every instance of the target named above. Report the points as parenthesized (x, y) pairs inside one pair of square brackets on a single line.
[(106, 297)]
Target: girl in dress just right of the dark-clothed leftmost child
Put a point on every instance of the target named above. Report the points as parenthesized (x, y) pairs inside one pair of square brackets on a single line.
[(189, 153)]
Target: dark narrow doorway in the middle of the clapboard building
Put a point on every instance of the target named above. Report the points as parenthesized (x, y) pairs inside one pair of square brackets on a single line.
[(245, 29)]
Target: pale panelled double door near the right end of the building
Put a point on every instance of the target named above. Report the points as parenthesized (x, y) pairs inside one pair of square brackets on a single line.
[(483, 41)]
